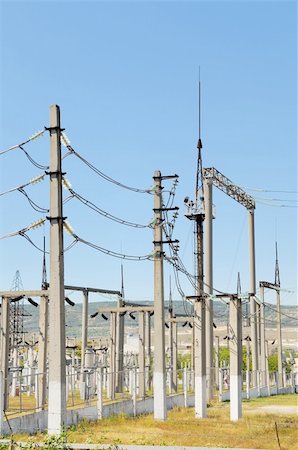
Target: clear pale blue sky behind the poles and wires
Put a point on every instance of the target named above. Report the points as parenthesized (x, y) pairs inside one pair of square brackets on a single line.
[(125, 75)]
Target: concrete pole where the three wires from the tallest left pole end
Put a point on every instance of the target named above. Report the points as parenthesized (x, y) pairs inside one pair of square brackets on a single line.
[(159, 374)]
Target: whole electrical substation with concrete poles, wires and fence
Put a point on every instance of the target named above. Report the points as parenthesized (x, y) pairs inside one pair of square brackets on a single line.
[(64, 389)]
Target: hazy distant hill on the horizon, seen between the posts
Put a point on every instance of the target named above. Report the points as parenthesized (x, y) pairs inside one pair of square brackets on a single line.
[(100, 327)]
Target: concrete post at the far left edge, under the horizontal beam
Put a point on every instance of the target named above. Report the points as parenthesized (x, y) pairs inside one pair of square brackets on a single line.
[(5, 312)]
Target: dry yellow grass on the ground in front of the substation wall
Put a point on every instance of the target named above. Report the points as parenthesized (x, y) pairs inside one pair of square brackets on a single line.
[(254, 430)]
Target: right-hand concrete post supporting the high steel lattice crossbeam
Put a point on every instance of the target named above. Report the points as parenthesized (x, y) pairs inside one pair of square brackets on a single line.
[(252, 291)]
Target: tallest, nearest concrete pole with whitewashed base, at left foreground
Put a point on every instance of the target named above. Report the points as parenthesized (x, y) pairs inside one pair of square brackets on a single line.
[(57, 373)]
